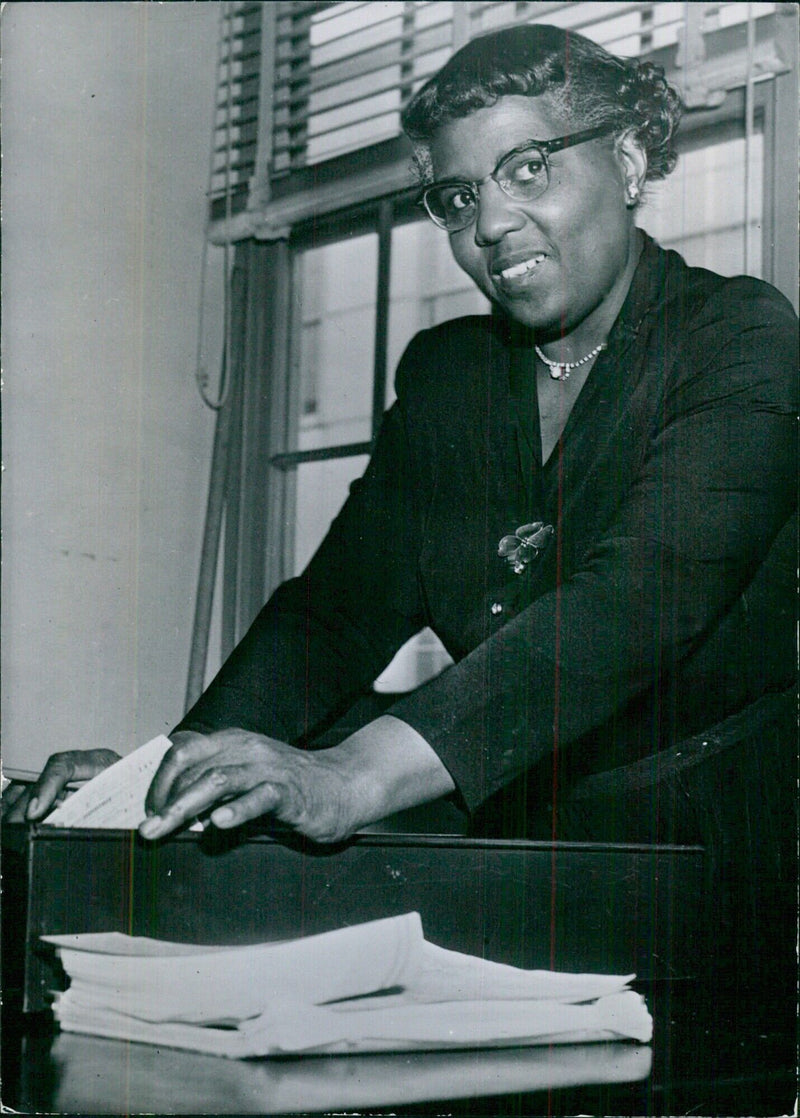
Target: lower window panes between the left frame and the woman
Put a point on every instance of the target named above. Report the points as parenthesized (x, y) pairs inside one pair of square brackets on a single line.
[(336, 347)]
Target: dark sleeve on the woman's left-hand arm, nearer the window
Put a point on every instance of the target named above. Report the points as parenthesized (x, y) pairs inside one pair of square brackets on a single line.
[(325, 637)]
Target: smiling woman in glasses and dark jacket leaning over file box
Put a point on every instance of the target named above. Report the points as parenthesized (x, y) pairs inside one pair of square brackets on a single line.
[(588, 496)]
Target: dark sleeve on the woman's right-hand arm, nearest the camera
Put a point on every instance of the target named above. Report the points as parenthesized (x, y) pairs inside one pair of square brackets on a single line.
[(718, 481)]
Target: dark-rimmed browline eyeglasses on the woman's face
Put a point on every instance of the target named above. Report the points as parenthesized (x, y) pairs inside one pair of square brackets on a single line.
[(522, 174)]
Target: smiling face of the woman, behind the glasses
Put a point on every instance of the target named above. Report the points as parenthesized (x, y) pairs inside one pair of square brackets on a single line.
[(580, 232)]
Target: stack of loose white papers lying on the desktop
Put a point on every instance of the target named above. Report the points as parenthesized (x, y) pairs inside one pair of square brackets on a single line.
[(378, 987)]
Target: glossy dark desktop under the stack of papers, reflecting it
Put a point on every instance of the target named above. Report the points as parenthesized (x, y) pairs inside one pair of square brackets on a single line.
[(715, 1053)]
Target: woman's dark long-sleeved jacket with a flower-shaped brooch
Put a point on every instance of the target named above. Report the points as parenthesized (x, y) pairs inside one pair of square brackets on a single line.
[(665, 600)]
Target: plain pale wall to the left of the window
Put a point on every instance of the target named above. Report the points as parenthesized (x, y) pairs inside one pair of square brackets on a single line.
[(107, 132)]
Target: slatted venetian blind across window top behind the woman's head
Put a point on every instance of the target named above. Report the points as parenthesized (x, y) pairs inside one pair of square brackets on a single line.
[(339, 73)]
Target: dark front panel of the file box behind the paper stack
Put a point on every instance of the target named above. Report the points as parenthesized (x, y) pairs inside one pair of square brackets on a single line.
[(569, 906)]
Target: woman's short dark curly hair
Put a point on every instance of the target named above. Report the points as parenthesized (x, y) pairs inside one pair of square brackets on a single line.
[(583, 80)]
